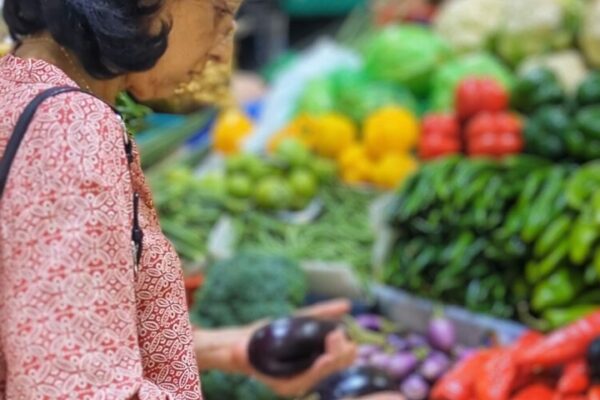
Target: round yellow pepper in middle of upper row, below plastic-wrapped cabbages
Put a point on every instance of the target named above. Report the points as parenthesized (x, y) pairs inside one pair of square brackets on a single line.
[(330, 134)]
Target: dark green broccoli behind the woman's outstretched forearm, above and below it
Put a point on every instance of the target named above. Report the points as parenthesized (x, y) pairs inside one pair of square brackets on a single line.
[(246, 288)]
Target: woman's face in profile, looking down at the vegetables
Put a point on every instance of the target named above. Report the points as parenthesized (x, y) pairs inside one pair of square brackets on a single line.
[(201, 30)]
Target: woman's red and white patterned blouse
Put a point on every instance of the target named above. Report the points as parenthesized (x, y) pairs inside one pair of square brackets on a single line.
[(76, 322)]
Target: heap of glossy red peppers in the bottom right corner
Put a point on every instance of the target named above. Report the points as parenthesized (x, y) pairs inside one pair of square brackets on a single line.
[(562, 365)]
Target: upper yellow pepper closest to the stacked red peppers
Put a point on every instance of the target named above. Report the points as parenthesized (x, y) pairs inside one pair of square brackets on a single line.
[(392, 129)]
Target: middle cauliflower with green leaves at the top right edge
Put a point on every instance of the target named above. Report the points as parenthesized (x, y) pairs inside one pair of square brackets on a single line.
[(534, 27)]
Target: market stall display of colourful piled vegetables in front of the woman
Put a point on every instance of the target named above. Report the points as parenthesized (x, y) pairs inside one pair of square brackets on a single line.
[(439, 164)]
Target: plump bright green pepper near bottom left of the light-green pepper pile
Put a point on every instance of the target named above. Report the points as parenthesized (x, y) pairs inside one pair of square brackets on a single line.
[(558, 290)]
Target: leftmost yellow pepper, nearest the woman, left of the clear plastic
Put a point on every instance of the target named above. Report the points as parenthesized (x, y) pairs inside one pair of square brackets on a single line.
[(231, 128)]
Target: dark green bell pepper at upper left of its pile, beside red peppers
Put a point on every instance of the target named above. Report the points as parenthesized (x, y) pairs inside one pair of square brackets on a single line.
[(536, 88)]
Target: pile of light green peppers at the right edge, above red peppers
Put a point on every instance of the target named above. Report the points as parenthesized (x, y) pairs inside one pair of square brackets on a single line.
[(563, 271)]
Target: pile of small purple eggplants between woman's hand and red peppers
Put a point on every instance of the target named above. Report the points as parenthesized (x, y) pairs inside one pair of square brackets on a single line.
[(411, 362)]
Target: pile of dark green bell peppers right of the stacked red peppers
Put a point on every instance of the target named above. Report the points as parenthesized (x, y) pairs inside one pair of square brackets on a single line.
[(560, 128)]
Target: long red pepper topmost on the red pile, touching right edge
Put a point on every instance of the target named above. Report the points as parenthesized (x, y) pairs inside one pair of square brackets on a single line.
[(564, 345)]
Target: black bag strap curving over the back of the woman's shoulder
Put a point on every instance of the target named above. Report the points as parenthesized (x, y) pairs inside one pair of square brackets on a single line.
[(21, 128)]
